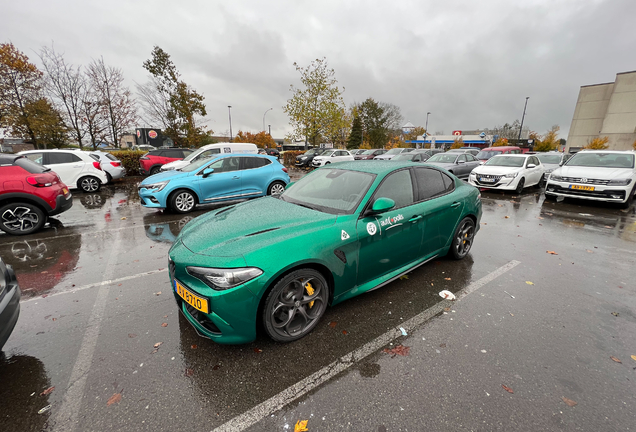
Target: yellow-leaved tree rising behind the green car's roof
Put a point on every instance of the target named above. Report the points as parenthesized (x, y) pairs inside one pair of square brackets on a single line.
[(317, 109)]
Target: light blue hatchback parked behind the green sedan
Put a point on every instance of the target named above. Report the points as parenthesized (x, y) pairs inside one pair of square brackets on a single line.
[(219, 178)]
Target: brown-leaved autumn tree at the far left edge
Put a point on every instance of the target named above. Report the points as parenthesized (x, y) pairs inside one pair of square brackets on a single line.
[(20, 88)]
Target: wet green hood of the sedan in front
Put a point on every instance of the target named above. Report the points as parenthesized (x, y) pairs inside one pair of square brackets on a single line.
[(240, 229)]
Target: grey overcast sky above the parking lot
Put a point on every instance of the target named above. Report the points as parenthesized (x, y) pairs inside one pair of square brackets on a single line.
[(471, 63)]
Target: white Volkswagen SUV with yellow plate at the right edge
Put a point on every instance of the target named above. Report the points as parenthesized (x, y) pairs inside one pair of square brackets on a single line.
[(598, 175)]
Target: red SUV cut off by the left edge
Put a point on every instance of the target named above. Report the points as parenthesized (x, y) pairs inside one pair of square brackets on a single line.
[(29, 194)]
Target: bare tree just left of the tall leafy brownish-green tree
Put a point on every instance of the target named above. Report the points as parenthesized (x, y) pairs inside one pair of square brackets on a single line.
[(117, 104)]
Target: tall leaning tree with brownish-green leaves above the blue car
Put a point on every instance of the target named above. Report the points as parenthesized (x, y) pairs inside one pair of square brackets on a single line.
[(168, 100)]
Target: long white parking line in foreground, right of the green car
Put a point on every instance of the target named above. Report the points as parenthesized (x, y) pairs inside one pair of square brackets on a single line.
[(273, 404)]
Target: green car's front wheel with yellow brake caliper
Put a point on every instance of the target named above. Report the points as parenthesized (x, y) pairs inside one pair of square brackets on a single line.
[(289, 311)]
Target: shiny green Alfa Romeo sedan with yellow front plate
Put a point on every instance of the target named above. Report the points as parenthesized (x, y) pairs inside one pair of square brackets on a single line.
[(340, 231)]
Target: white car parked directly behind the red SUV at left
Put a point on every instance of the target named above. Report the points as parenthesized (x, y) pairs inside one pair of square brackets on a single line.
[(77, 169)]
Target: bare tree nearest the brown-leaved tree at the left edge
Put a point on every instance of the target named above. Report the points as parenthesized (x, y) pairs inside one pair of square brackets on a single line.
[(66, 86)]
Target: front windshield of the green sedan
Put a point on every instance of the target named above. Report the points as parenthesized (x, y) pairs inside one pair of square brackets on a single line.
[(333, 191)]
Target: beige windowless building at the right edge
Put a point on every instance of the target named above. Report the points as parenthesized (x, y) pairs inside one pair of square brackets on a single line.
[(605, 110)]
